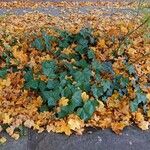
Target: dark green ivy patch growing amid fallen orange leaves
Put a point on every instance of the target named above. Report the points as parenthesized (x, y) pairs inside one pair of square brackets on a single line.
[(69, 79)]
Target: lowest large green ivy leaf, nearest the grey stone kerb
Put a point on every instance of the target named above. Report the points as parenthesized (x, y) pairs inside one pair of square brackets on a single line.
[(86, 112)]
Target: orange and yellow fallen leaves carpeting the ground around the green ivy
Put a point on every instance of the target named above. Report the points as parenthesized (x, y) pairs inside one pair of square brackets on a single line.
[(19, 107)]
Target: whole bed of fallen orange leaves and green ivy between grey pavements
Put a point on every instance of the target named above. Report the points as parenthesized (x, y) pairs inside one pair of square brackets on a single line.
[(62, 75)]
